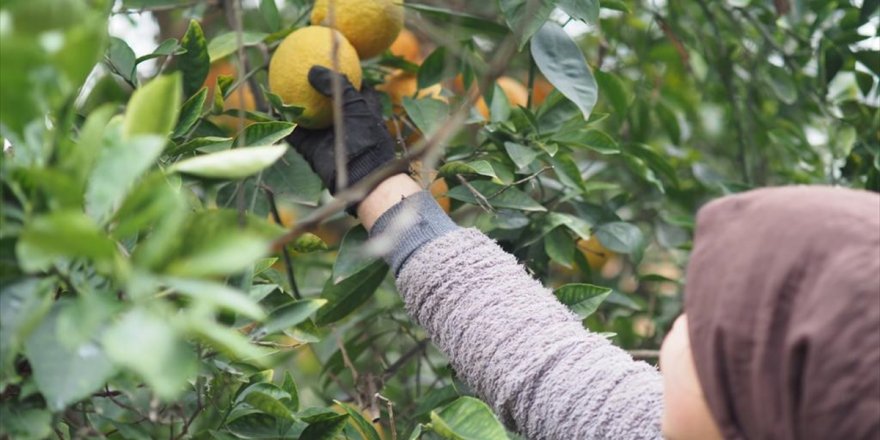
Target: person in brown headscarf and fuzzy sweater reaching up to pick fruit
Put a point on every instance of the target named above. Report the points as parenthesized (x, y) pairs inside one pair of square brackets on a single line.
[(780, 338)]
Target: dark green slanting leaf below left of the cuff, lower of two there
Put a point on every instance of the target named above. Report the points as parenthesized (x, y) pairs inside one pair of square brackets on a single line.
[(347, 295)]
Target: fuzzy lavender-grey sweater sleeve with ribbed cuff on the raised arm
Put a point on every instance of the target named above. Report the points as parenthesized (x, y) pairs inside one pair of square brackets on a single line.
[(508, 337)]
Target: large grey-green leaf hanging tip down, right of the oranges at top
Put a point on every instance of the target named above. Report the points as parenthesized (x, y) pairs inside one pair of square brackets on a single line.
[(563, 64)]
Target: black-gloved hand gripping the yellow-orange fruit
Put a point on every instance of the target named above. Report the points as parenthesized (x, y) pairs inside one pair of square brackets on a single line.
[(368, 144)]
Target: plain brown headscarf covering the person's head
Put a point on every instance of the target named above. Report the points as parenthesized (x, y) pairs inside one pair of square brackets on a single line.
[(783, 306)]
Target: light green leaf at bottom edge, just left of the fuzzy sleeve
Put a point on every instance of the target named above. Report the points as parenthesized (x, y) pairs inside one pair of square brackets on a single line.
[(467, 418)]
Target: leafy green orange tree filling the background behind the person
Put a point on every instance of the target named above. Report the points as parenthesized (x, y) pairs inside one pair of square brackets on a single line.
[(146, 291)]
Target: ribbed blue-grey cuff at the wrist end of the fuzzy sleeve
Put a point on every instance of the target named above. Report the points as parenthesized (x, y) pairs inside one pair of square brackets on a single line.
[(412, 222)]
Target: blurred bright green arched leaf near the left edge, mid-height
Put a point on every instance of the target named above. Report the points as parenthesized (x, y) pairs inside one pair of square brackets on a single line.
[(63, 234)]
